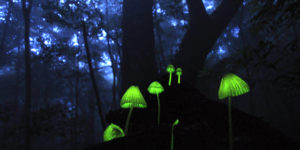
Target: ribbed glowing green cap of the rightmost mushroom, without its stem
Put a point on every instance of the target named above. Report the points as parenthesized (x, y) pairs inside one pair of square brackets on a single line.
[(232, 85)]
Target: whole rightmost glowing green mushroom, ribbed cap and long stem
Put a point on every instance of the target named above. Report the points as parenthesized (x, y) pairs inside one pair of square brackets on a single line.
[(231, 85)]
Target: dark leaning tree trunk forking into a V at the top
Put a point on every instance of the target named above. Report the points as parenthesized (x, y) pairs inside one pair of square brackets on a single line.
[(203, 31)]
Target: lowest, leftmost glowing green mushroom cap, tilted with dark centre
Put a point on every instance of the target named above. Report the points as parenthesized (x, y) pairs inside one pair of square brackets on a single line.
[(112, 132)]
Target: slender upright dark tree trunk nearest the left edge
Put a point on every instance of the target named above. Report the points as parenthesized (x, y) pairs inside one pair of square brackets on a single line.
[(26, 15)]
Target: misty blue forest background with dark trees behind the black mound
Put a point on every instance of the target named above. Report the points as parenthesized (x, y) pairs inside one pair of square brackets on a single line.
[(62, 60)]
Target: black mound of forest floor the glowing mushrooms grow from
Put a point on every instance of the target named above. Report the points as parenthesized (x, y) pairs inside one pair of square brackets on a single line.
[(203, 125)]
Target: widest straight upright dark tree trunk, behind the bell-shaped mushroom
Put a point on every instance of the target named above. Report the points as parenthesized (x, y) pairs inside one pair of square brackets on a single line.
[(138, 65)]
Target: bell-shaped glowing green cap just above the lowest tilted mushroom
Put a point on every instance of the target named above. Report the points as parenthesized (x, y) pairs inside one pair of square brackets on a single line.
[(133, 98)]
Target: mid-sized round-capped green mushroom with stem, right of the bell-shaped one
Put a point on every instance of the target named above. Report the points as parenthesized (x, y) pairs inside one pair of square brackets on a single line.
[(156, 88)]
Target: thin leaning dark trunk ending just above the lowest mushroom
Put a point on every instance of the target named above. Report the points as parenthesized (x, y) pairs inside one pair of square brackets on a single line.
[(95, 87)]
